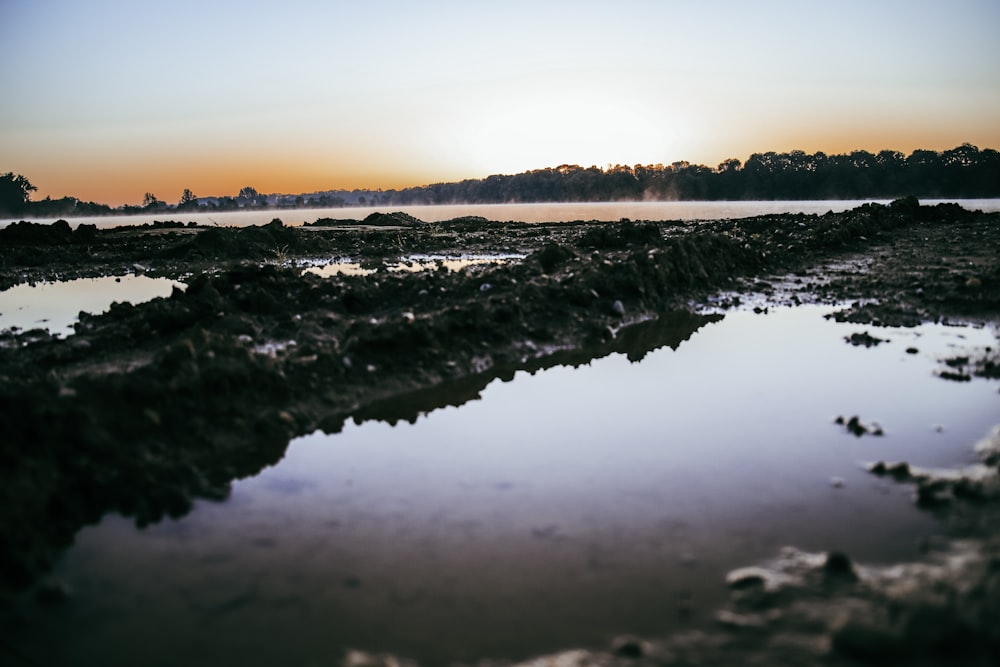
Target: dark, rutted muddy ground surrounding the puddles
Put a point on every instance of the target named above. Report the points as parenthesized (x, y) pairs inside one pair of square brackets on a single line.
[(149, 407)]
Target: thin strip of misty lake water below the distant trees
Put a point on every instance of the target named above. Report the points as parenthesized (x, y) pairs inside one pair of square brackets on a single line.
[(685, 210)]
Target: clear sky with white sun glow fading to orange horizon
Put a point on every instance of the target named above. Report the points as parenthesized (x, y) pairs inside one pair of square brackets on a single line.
[(106, 100)]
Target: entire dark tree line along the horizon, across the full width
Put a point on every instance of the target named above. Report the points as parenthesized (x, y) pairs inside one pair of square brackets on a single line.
[(961, 172)]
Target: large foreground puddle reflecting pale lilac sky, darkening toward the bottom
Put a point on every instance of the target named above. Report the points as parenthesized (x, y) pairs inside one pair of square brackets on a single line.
[(559, 509)]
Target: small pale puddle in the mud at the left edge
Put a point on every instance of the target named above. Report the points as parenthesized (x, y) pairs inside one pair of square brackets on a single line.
[(56, 306)]
